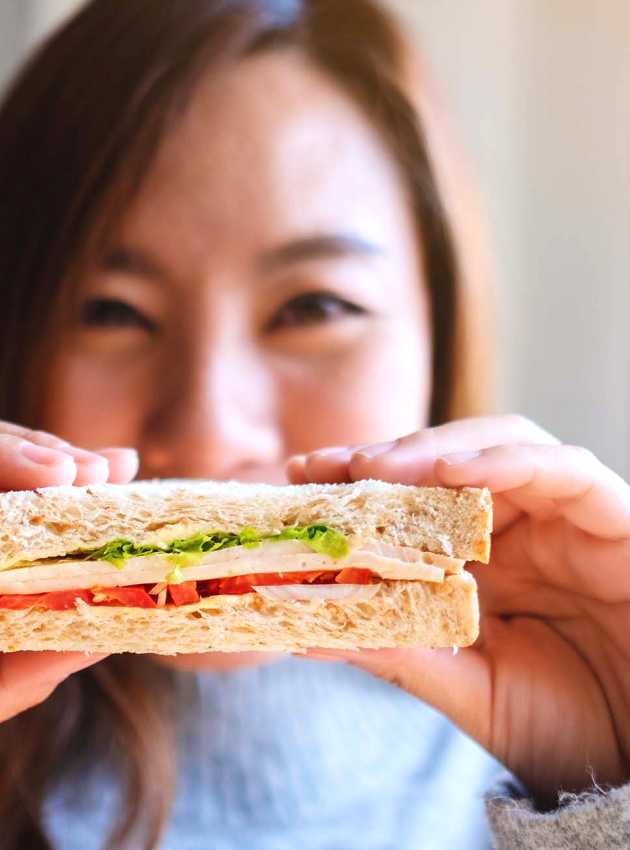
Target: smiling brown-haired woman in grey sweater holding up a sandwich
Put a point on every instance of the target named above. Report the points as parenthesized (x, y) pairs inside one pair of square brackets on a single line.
[(222, 242)]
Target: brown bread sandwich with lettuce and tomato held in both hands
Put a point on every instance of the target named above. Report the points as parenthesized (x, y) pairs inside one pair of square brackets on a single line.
[(191, 566)]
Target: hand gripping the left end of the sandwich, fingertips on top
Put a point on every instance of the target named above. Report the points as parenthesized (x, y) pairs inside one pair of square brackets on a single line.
[(30, 459)]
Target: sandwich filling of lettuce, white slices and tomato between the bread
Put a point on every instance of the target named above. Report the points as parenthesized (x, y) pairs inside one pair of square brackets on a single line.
[(298, 562)]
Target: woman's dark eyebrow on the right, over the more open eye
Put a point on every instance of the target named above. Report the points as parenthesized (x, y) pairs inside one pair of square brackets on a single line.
[(320, 247)]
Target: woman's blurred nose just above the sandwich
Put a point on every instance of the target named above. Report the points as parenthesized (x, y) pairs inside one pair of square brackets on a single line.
[(214, 416)]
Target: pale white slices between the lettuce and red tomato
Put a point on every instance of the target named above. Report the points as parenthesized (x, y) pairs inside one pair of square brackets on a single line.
[(277, 557)]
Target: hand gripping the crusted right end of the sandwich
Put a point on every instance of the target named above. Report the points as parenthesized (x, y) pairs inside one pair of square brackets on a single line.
[(546, 688)]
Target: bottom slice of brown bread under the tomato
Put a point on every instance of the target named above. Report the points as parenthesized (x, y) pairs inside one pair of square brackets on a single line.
[(402, 613)]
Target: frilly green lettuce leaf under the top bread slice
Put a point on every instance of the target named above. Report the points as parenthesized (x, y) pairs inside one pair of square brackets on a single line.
[(189, 550)]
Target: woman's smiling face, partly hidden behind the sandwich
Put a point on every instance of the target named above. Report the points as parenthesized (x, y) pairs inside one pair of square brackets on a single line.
[(263, 295)]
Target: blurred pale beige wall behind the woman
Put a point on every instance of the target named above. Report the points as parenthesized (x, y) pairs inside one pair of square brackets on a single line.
[(538, 93)]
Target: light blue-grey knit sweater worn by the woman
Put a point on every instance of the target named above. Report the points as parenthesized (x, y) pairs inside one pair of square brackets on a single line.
[(315, 756)]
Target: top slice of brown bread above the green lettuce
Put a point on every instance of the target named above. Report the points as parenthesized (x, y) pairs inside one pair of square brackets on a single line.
[(55, 521)]
